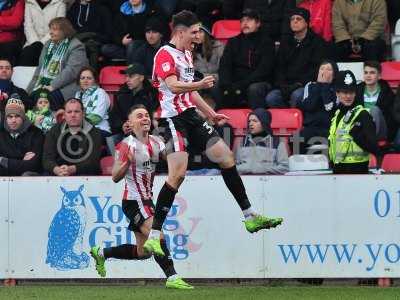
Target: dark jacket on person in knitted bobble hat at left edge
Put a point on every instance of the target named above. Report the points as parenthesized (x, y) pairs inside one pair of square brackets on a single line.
[(14, 149)]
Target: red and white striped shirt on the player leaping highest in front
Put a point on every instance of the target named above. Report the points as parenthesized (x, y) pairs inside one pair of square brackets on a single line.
[(171, 61)]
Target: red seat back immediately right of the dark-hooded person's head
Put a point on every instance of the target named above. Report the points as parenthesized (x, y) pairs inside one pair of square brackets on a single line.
[(286, 121)]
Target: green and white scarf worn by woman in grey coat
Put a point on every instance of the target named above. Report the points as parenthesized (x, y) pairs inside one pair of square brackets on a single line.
[(52, 63)]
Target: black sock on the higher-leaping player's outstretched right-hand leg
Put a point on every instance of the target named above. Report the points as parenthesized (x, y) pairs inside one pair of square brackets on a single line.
[(235, 185)]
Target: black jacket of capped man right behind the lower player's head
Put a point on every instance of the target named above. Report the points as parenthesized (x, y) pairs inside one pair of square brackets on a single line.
[(125, 99)]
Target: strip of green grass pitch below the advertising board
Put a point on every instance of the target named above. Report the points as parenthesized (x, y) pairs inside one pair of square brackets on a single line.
[(200, 292)]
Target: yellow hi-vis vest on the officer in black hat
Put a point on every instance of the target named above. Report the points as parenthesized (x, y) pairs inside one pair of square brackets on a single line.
[(342, 147)]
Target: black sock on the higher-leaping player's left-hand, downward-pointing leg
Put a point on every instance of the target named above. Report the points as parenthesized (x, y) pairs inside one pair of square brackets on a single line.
[(164, 202)]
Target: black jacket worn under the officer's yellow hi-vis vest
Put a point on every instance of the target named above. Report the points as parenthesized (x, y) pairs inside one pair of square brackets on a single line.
[(364, 135)]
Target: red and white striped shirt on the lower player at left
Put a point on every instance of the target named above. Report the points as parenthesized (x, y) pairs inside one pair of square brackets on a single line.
[(140, 175)]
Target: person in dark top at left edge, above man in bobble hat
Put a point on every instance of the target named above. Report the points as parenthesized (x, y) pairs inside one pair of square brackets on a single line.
[(7, 87)]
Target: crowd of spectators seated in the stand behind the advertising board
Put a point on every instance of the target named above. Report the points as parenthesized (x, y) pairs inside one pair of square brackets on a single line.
[(285, 56)]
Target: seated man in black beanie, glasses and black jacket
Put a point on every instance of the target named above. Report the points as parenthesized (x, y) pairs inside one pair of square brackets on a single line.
[(299, 56)]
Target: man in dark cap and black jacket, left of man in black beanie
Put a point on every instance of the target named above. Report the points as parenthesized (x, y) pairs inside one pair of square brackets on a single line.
[(246, 65)]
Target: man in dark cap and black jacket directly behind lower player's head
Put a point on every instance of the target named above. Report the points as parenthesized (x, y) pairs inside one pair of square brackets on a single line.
[(136, 90)]
